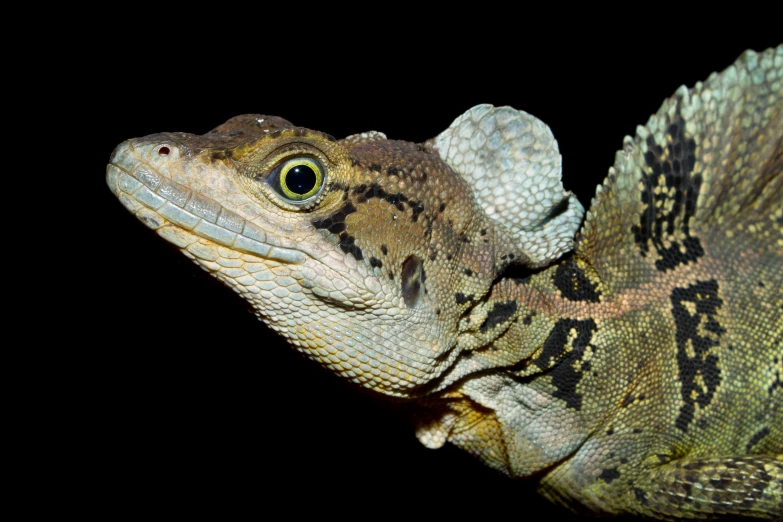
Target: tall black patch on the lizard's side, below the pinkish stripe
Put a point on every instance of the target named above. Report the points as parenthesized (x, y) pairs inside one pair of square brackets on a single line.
[(703, 366)]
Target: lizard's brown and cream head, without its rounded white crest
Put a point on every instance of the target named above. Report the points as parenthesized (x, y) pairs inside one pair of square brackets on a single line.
[(365, 253)]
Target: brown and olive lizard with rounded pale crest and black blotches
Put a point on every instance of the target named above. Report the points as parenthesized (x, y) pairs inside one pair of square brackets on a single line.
[(635, 368)]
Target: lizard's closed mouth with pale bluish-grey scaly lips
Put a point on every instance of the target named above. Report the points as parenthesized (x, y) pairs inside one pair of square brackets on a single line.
[(158, 201)]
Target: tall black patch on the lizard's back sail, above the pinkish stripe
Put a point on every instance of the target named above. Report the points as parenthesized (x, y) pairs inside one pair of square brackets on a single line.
[(663, 214)]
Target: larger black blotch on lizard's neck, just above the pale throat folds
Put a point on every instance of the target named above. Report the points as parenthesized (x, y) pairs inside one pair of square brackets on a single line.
[(560, 357)]
